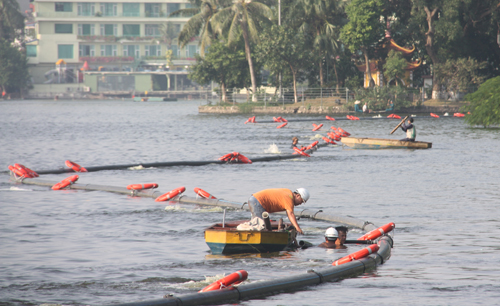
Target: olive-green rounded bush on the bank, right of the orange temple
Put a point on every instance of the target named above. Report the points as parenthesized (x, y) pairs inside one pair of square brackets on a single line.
[(458, 75)]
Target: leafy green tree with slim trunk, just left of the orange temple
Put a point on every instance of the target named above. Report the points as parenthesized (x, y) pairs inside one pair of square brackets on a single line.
[(363, 29)]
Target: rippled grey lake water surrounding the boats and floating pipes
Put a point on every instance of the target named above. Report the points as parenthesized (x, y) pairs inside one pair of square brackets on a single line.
[(91, 248)]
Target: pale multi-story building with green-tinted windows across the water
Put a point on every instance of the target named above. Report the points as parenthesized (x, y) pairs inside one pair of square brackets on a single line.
[(116, 35)]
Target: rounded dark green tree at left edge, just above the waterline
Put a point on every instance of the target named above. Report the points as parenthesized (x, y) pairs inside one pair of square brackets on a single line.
[(14, 74)]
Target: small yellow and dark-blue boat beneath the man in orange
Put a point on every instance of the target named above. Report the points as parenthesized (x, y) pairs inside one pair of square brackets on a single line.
[(228, 240)]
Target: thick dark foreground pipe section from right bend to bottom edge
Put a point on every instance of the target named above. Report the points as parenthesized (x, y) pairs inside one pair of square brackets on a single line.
[(286, 284)]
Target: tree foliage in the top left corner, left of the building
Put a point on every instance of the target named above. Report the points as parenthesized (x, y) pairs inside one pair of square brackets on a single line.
[(11, 20)]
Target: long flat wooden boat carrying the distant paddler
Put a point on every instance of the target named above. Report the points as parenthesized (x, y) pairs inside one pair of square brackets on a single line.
[(378, 143)]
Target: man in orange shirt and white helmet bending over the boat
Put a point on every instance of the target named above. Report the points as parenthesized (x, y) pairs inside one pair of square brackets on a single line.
[(278, 199)]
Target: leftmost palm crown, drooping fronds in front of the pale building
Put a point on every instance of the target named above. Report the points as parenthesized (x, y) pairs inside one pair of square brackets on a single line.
[(200, 22)]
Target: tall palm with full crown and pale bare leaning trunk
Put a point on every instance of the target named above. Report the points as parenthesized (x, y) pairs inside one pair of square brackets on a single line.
[(242, 18)]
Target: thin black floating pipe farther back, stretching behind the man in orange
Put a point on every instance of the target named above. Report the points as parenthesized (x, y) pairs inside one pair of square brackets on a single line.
[(173, 164)]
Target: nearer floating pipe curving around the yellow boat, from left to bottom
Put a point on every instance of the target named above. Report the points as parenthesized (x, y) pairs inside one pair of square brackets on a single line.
[(348, 268)]
